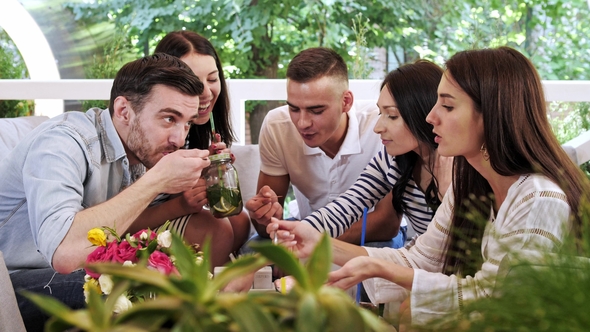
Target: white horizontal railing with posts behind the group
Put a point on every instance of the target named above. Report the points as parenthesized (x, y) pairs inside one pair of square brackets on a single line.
[(49, 96)]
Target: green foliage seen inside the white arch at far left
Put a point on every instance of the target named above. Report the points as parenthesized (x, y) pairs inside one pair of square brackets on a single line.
[(12, 66)]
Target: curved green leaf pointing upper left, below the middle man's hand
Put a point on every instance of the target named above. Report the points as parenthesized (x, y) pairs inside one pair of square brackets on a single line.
[(285, 260)]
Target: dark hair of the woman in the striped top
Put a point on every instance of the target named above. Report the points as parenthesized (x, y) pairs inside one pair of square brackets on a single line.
[(414, 86)]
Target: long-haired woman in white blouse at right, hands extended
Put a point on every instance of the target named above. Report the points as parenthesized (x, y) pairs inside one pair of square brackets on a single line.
[(491, 115)]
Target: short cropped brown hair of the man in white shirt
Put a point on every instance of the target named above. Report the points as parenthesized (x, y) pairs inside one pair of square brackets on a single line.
[(316, 62)]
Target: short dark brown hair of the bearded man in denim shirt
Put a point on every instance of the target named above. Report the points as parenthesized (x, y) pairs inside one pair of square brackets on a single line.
[(136, 79)]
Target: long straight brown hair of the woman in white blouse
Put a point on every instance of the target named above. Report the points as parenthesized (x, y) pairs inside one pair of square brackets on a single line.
[(506, 89)]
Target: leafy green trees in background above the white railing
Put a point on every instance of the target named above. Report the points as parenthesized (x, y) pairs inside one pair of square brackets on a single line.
[(257, 38)]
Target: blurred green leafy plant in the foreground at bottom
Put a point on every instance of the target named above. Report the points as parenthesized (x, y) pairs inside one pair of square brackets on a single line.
[(192, 301)]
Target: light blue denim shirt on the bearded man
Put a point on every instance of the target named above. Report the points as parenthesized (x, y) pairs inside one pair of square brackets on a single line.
[(69, 163)]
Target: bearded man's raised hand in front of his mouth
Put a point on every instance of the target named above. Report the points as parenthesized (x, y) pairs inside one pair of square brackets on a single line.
[(180, 171)]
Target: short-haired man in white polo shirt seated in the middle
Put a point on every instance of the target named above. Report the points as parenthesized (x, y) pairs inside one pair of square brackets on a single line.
[(319, 142)]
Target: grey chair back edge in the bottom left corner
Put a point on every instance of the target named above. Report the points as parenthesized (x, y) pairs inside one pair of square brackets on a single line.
[(10, 318)]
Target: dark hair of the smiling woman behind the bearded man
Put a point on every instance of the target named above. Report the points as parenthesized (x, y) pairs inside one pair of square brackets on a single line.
[(181, 43)]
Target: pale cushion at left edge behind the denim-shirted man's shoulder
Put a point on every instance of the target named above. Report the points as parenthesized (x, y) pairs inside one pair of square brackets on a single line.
[(12, 130)]
